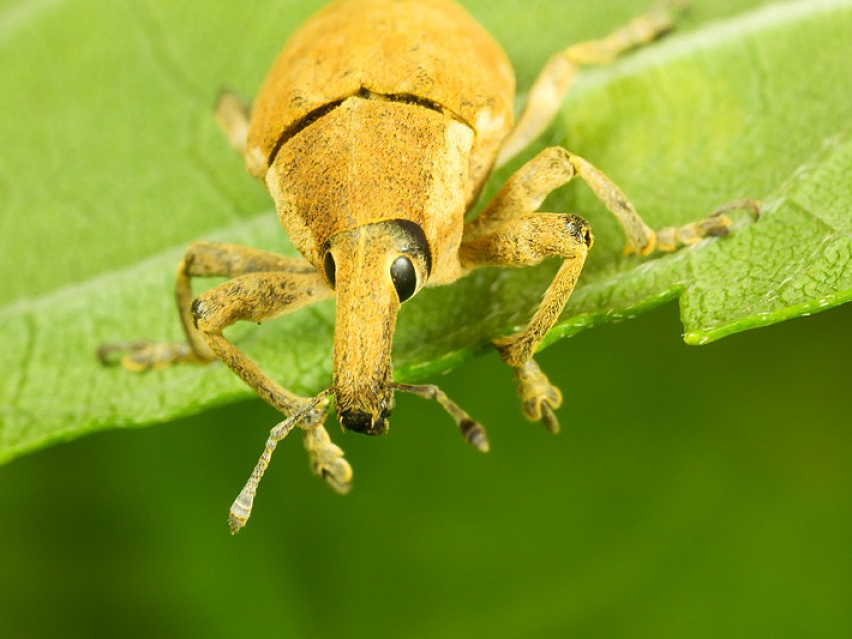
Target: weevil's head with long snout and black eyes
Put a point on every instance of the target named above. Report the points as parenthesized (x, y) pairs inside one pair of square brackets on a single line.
[(373, 269)]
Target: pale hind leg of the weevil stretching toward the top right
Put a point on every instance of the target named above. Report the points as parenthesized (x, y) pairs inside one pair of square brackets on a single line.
[(554, 81)]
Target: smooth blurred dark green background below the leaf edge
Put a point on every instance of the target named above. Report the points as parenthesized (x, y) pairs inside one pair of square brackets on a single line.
[(694, 492)]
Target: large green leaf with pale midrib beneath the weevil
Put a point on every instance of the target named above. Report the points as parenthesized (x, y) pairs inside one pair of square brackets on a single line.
[(112, 163)]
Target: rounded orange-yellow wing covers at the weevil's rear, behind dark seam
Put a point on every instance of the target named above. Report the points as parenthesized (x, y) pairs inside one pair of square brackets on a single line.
[(427, 48)]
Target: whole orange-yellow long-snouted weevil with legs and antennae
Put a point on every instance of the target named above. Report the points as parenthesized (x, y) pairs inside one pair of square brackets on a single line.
[(374, 132)]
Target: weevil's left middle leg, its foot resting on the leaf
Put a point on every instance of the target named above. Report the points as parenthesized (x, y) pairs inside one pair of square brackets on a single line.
[(202, 259)]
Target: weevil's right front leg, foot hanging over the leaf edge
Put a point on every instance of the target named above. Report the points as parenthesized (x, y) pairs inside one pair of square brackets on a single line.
[(525, 241)]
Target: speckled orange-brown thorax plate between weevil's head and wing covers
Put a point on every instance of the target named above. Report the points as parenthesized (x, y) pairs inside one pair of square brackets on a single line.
[(372, 160)]
